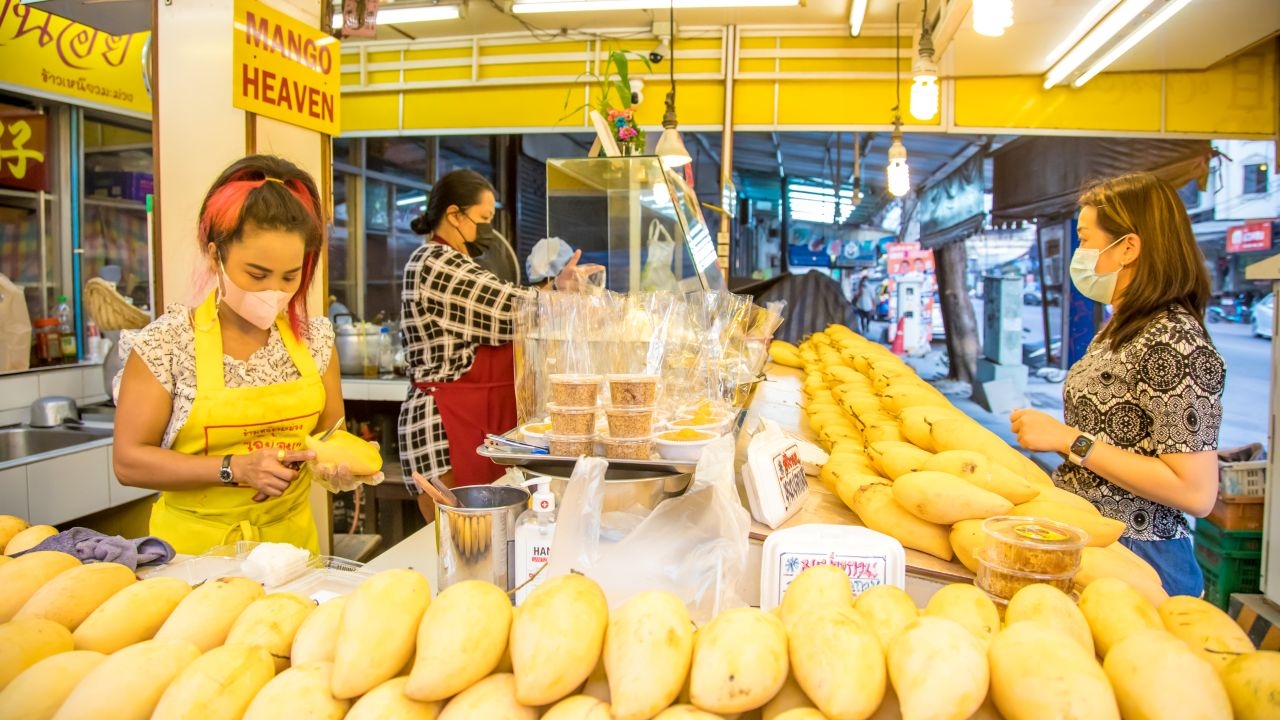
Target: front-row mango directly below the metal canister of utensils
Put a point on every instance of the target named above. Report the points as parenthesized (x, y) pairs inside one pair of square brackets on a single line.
[(461, 639)]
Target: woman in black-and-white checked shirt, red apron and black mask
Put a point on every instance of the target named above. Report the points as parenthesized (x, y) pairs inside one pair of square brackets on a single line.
[(459, 326)]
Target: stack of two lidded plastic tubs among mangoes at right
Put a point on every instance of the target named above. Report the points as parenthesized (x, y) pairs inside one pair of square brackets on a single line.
[(1022, 552)]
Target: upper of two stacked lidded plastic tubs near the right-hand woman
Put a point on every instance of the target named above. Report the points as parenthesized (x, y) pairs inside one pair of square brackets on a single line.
[(1034, 545)]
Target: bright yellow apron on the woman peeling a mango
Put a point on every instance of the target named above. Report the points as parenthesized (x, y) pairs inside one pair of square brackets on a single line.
[(240, 421)]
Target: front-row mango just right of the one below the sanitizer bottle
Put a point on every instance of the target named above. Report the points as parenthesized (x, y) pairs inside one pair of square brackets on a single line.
[(648, 650)]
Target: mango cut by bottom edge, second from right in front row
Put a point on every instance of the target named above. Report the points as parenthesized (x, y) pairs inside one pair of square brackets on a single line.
[(1155, 677)]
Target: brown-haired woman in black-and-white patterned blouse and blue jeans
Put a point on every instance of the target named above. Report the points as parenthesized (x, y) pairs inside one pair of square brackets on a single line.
[(1144, 407)]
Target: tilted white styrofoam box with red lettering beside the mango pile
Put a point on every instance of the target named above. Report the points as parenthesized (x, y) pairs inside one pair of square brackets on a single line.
[(775, 480)]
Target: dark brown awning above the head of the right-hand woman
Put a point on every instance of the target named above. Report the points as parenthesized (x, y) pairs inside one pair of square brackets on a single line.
[(1037, 177)]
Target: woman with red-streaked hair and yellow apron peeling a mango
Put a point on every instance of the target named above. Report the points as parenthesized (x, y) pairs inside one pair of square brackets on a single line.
[(216, 400)]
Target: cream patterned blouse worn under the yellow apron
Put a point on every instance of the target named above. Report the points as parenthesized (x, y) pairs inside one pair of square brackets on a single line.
[(168, 349)]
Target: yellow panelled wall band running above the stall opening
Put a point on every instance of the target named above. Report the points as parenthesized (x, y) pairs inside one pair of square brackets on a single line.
[(1233, 99)]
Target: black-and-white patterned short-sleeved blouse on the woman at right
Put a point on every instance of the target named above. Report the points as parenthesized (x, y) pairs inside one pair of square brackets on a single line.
[(1160, 394)]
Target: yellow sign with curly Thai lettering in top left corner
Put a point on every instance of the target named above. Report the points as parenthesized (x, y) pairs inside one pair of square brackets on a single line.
[(57, 58)]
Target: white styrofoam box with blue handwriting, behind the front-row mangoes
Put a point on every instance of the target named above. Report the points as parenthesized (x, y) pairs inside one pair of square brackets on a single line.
[(870, 558)]
